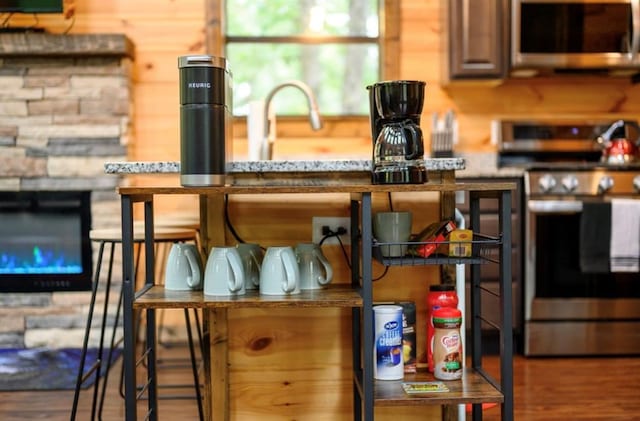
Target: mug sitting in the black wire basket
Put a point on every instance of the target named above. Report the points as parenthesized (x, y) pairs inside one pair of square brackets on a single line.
[(392, 227)]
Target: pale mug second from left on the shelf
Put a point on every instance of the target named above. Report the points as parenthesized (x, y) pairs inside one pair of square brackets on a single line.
[(224, 274)]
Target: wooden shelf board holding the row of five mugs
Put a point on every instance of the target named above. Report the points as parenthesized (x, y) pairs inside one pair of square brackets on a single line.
[(334, 296)]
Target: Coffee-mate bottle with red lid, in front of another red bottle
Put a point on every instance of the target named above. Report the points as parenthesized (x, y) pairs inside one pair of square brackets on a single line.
[(447, 344)]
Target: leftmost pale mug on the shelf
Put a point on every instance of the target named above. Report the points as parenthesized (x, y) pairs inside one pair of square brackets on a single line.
[(183, 270)]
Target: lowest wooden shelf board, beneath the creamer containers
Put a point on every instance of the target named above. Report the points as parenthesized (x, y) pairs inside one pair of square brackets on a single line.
[(472, 388)]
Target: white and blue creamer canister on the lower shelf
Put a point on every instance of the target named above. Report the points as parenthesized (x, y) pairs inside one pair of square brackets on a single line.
[(387, 326)]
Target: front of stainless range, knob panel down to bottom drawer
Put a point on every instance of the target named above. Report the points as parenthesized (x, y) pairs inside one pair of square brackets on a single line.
[(572, 309)]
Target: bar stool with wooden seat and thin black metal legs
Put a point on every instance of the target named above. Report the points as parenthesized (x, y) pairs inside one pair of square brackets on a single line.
[(163, 237)]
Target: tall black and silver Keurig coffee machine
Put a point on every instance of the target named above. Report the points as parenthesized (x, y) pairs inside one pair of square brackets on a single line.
[(205, 120)]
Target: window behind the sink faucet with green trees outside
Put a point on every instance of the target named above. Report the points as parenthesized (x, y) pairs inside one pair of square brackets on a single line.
[(334, 46)]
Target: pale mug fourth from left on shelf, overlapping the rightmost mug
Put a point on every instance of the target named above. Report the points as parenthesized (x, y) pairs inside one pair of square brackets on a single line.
[(279, 274)]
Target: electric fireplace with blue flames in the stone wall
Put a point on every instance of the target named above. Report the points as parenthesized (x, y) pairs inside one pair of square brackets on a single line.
[(44, 241)]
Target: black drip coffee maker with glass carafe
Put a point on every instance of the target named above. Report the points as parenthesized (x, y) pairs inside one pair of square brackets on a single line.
[(398, 148)]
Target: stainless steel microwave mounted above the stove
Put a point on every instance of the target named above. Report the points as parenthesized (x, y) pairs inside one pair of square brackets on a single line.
[(575, 34)]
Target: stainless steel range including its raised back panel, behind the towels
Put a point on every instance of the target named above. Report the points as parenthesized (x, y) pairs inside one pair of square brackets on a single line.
[(572, 307)]
